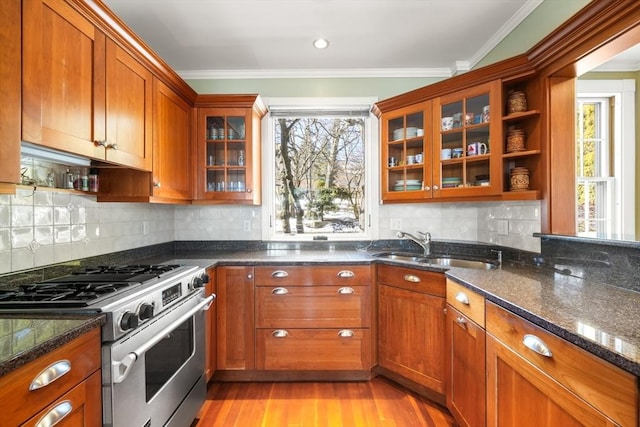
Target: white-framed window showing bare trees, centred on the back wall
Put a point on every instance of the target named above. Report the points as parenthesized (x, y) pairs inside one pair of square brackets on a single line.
[(318, 168)]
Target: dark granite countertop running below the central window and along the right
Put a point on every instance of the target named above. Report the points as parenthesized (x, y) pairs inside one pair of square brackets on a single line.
[(596, 316)]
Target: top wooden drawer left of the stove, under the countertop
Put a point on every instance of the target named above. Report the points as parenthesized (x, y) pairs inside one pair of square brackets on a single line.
[(82, 355)]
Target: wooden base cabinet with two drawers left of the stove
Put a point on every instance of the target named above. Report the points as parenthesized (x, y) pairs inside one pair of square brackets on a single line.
[(73, 398)]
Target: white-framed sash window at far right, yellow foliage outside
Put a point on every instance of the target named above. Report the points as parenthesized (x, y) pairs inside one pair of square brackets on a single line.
[(605, 153)]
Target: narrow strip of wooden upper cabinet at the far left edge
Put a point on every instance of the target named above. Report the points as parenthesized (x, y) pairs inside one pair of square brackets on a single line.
[(10, 69)]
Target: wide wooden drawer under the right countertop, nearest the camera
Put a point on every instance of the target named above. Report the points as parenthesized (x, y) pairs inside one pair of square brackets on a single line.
[(609, 389)]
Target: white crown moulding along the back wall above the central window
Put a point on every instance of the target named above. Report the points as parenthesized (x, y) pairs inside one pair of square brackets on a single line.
[(319, 74)]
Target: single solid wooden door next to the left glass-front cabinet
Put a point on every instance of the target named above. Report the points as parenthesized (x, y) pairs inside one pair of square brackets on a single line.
[(172, 167)]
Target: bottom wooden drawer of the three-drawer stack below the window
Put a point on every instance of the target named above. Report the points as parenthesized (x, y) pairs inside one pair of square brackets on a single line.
[(313, 349)]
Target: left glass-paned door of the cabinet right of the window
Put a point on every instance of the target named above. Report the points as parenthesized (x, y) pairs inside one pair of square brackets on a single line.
[(406, 153)]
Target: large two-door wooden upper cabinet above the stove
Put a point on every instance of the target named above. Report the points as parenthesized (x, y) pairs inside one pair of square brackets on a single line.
[(82, 93)]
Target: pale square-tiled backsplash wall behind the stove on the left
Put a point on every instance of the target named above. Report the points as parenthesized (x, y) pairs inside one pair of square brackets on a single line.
[(68, 227)]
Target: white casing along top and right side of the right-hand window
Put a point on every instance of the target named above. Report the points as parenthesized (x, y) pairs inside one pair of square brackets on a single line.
[(625, 153)]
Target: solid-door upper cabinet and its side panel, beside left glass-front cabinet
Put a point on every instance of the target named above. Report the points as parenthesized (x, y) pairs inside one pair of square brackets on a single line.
[(171, 178)]
